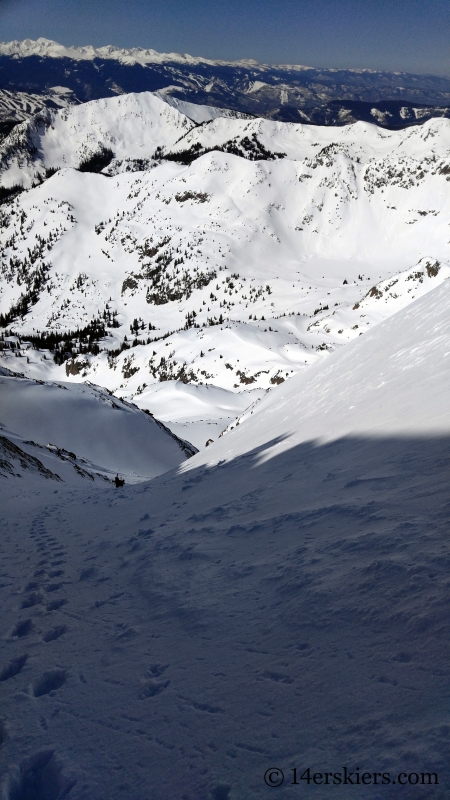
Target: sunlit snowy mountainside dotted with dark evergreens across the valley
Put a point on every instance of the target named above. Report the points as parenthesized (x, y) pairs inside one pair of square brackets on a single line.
[(245, 254)]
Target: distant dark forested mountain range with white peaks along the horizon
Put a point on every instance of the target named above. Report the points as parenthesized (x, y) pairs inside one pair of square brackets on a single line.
[(48, 74)]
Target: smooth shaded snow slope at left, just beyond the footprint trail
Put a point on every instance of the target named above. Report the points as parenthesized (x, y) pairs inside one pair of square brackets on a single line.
[(80, 431)]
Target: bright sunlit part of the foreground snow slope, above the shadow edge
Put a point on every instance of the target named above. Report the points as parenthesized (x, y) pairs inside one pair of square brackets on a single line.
[(394, 382)]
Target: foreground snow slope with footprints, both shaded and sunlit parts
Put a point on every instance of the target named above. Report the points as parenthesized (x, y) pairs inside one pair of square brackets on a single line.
[(279, 602)]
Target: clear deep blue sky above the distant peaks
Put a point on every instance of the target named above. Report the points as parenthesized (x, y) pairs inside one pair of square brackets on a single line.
[(410, 35)]
